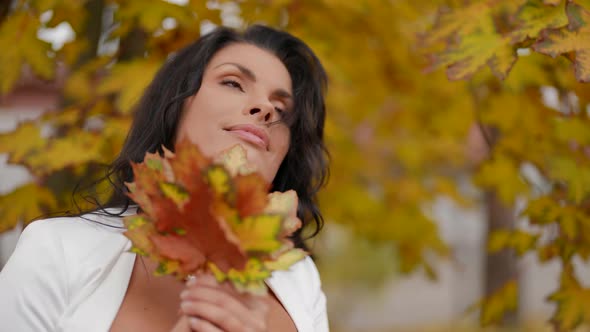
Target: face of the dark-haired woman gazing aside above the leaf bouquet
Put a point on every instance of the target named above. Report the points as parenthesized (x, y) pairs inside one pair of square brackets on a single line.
[(243, 94)]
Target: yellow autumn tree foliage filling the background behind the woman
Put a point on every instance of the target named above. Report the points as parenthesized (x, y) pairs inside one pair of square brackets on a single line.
[(396, 133)]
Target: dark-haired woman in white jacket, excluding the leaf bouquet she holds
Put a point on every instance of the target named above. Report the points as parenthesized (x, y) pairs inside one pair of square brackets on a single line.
[(261, 88)]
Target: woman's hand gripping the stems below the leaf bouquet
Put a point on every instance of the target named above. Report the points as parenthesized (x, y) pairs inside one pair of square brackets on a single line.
[(211, 307)]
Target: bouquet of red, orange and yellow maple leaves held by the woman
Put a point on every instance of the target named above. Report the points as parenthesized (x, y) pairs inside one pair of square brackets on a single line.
[(203, 215)]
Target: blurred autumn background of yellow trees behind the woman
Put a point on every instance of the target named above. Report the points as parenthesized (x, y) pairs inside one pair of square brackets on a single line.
[(459, 195)]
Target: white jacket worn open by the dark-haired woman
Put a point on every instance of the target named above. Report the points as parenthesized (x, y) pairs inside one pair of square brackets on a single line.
[(71, 274)]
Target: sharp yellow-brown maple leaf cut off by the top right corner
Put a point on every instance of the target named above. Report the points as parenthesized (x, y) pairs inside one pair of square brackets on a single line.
[(575, 38)]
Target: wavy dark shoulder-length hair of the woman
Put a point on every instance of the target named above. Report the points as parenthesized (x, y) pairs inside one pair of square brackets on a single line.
[(158, 113)]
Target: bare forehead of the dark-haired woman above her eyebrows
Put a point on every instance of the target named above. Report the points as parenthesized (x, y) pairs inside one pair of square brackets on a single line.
[(266, 66)]
